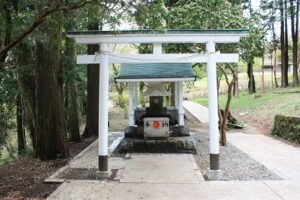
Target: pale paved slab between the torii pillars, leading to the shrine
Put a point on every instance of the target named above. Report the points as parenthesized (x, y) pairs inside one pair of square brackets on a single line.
[(161, 168)]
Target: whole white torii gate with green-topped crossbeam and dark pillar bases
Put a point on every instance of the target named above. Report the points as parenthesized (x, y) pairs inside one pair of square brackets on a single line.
[(211, 57)]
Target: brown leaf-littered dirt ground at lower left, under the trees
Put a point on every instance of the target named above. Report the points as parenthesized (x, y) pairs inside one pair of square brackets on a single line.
[(23, 178)]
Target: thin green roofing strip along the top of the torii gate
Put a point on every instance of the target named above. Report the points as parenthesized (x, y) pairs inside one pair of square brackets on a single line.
[(170, 31)]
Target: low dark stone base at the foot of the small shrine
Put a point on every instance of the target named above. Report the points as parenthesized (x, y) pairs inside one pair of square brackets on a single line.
[(169, 145)]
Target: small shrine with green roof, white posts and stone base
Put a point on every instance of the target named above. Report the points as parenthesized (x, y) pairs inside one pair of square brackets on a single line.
[(157, 127)]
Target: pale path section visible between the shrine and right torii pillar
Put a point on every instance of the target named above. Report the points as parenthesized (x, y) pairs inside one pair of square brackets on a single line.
[(198, 111)]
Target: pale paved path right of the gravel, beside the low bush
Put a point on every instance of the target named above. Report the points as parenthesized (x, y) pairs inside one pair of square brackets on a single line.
[(281, 158)]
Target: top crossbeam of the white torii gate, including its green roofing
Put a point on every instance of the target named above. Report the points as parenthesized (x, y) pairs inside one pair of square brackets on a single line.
[(168, 36)]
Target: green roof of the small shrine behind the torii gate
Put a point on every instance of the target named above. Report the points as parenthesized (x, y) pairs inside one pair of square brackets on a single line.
[(155, 70)]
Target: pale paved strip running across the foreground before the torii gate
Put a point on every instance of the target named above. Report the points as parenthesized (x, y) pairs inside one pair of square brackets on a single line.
[(235, 190)]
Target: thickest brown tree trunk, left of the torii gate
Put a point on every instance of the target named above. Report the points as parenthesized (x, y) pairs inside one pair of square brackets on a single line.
[(50, 127)]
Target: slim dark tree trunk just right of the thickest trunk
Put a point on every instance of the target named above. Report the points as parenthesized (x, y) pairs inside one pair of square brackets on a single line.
[(72, 108)]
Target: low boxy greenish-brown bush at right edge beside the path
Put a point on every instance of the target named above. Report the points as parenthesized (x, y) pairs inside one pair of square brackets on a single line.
[(287, 127)]
